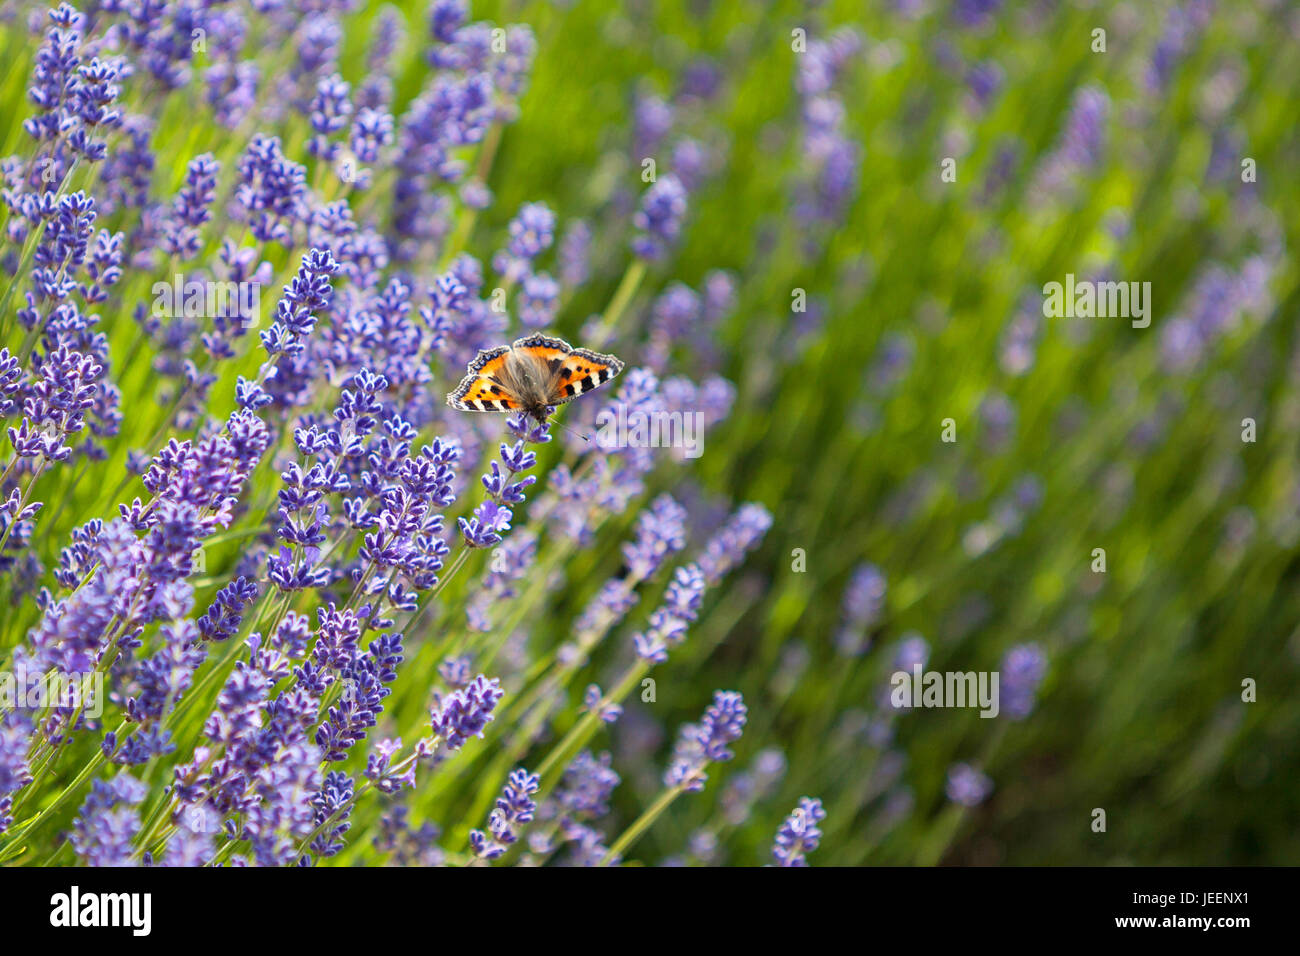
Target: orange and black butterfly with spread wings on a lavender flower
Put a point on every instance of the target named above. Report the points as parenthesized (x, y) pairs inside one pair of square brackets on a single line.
[(532, 375)]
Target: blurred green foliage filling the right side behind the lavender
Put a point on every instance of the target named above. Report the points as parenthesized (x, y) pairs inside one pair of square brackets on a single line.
[(1142, 710)]
